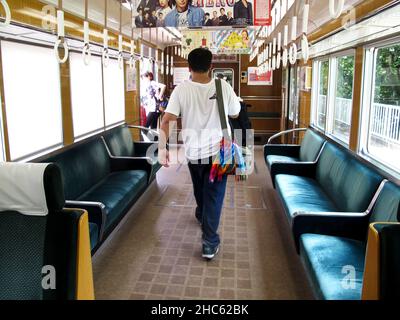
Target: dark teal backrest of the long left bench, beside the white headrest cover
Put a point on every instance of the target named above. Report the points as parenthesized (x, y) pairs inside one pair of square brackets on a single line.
[(82, 166)]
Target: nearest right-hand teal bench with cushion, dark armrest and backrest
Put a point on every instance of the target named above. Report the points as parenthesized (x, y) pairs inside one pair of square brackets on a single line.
[(335, 262)]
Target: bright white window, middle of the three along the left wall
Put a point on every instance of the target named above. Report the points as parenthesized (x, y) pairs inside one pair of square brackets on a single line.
[(86, 95)]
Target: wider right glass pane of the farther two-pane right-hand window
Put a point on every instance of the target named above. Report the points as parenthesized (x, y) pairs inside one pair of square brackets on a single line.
[(343, 98)]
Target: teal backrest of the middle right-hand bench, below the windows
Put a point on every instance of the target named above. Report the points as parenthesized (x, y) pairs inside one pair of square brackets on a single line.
[(350, 184)]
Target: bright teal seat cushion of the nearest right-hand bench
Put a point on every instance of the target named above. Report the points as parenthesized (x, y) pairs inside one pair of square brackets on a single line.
[(327, 260)]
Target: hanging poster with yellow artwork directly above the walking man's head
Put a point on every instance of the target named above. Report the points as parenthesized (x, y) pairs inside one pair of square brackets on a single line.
[(219, 42)]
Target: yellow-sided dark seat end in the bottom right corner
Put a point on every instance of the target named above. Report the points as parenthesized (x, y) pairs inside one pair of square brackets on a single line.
[(382, 262)]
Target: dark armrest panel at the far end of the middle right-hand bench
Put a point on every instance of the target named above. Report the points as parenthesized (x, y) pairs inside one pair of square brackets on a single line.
[(302, 169)]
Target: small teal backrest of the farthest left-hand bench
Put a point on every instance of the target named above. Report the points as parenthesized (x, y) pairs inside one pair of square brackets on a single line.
[(119, 142)]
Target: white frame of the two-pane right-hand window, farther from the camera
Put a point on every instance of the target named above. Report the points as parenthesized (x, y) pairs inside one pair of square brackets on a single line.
[(331, 94)]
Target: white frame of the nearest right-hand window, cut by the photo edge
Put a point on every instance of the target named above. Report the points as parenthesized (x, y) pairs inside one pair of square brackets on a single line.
[(367, 97)]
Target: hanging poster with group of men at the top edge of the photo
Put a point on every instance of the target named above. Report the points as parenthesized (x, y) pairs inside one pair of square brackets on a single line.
[(200, 13)]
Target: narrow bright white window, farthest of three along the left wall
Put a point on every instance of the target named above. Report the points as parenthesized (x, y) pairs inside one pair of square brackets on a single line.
[(114, 98)]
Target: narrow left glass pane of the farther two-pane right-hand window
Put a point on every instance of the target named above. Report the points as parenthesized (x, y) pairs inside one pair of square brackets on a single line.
[(322, 98)]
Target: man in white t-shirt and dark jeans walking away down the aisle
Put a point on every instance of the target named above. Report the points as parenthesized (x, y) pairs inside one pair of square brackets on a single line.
[(196, 101)]
